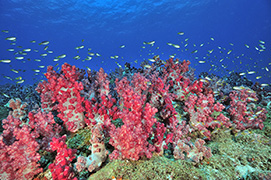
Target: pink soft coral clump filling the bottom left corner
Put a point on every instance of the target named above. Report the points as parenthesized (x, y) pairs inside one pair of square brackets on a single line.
[(18, 151)]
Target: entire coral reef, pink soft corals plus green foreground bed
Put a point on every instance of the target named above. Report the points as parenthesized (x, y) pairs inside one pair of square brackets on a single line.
[(154, 122)]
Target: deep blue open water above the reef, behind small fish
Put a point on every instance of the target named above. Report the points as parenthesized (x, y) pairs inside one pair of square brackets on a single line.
[(105, 25)]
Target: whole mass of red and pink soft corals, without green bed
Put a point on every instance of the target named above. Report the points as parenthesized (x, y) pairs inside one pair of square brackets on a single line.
[(130, 114)]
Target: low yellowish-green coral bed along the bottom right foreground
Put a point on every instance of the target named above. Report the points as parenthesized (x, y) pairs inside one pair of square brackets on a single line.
[(239, 156)]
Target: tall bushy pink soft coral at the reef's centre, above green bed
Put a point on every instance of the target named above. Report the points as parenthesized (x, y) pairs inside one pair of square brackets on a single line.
[(130, 140)]
